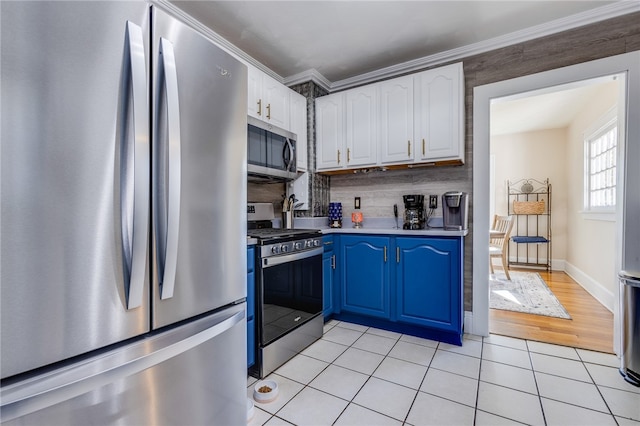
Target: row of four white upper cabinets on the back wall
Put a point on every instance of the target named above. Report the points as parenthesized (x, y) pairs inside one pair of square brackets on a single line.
[(416, 118)]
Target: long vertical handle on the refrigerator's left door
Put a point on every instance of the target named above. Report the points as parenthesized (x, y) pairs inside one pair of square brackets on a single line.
[(134, 151)]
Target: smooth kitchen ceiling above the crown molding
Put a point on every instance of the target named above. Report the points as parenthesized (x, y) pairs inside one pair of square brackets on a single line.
[(339, 40)]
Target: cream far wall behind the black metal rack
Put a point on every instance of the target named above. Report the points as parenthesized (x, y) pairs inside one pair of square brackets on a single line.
[(538, 155)]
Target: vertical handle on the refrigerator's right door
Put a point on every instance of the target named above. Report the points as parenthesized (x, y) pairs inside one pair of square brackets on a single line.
[(167, 168)]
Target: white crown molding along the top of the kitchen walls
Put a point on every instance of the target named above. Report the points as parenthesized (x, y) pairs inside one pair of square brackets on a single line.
[(612, 10)]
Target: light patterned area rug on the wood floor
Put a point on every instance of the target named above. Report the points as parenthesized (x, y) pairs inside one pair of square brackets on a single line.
[(525, 292)]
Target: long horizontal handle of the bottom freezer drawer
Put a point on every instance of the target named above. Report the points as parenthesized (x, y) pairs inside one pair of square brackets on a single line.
[(51, 389)]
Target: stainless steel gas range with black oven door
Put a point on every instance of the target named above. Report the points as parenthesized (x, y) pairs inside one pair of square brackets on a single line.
[(288, 289)]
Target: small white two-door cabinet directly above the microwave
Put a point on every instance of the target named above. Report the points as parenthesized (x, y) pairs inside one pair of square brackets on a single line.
[(268, 100)]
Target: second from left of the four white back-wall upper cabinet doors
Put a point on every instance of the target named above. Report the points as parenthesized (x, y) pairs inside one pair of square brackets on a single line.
[(361, 126)]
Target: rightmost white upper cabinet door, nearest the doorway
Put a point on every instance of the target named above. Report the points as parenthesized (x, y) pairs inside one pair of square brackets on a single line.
[(439, 114)]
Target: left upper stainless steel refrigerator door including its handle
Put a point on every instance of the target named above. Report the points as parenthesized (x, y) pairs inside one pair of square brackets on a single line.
[(73, 136)]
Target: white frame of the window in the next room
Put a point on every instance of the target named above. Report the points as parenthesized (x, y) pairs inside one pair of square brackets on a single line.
[(599, 128)]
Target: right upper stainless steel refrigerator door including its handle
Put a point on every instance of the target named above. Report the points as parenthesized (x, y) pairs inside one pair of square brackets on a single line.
[(199, 173)]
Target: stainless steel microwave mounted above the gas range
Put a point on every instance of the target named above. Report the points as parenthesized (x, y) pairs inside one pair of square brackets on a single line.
[(271, 153)]
